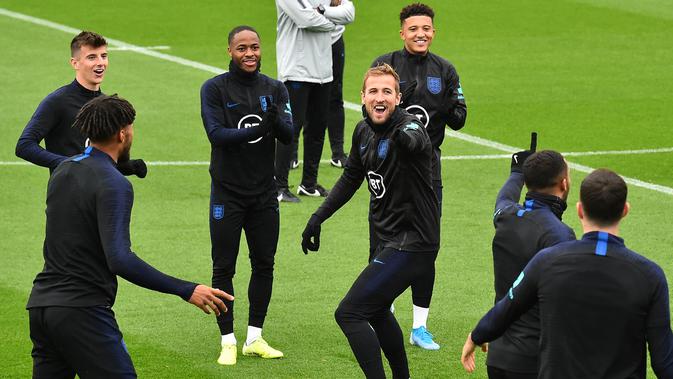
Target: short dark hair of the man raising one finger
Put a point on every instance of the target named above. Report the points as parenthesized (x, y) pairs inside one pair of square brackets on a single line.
[(544, 169)]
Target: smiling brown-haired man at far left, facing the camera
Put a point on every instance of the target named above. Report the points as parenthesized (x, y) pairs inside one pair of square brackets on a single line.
[(53, 119)]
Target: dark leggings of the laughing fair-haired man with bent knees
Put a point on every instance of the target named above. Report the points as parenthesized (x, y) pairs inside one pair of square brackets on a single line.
[(364, 314)]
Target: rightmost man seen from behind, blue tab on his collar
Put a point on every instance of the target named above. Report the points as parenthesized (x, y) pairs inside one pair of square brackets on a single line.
[(600, 303)]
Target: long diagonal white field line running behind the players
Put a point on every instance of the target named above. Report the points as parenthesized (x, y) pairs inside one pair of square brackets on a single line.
[(347, 105)]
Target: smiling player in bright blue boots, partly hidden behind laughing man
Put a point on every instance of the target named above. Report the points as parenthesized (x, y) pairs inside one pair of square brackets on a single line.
[(431, 91)]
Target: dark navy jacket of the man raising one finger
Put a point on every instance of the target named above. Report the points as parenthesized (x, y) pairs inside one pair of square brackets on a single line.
[(521, 231)]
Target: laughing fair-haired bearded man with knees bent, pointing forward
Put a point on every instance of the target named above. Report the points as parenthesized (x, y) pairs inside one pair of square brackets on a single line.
[(390, 150)]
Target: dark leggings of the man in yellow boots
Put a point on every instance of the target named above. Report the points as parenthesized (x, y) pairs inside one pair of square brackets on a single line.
[(258, 216)]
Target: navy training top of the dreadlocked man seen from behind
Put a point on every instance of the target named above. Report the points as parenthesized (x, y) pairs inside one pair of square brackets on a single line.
[(87, 240)]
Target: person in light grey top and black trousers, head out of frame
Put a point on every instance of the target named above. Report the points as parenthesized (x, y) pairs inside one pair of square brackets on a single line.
[(303, 44)]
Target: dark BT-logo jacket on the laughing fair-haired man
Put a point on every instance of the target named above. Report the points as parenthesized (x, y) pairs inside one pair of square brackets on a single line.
[(403, 206)]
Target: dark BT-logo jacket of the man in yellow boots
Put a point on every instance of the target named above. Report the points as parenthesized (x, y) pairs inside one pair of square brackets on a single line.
[(232, 106)]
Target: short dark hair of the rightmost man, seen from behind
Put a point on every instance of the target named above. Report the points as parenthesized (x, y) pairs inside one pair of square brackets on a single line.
[(603, 195)]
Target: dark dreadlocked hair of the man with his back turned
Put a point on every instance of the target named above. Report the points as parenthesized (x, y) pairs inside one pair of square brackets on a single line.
[(104, 116)]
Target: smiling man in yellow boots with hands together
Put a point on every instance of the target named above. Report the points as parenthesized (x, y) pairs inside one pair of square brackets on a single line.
[(244, 112)]
